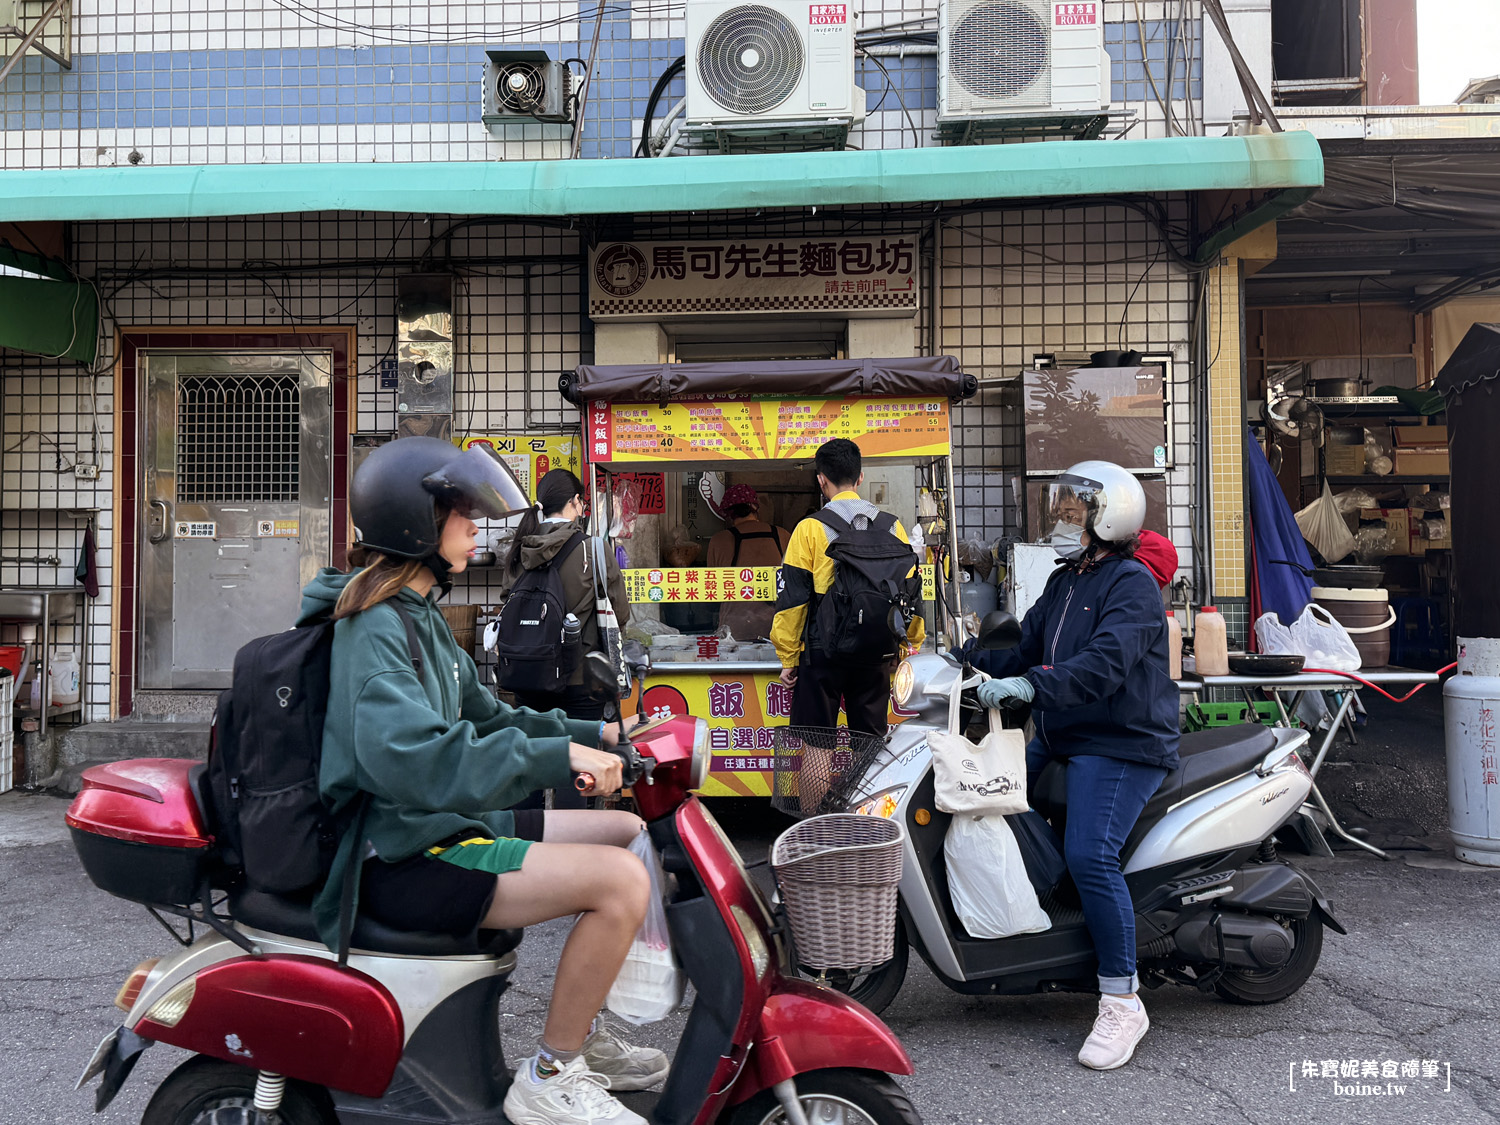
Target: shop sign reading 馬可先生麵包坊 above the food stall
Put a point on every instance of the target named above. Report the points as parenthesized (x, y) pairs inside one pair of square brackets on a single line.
[(863, 275)]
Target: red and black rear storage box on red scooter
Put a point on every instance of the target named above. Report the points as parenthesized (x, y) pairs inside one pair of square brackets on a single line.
[(140, 833)]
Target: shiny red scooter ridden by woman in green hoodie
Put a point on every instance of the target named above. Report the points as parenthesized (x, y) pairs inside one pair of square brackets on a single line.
[(409, 1031)]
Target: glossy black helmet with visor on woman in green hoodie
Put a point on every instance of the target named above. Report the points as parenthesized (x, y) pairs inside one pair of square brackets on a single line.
[(398, 487)]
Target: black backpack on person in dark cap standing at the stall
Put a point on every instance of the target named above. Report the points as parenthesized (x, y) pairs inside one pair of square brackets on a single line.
[(532, 653)]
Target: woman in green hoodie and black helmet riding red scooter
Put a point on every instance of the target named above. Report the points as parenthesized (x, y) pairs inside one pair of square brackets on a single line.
[(439, 755)]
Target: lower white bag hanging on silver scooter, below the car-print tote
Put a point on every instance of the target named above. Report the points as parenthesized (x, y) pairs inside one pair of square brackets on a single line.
[(988, 880)]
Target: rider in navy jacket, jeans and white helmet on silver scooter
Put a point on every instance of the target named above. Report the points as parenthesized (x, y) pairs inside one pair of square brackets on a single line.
[(1093, 664)]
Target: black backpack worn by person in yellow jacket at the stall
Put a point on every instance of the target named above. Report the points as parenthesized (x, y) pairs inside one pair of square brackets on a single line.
[(871, 578)]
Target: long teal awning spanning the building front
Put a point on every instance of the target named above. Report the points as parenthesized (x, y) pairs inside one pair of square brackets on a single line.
[(1288, 164)]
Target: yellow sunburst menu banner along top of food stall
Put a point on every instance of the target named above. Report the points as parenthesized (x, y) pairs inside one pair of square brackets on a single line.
[(764, 430)]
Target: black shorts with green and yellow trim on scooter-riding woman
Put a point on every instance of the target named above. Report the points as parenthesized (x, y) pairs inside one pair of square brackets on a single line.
[(430, 895)]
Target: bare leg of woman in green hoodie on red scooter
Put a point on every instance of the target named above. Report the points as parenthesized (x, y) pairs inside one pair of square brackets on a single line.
[(610, 889)]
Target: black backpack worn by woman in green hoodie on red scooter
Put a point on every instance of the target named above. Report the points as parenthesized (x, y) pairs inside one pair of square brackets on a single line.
[(265, 752)]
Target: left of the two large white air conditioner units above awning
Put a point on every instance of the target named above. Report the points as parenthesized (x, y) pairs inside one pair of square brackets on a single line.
[(773, 64)]
